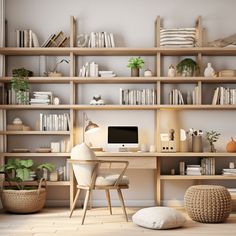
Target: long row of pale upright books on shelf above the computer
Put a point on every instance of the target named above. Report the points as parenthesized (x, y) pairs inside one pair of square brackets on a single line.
[(137, 97)]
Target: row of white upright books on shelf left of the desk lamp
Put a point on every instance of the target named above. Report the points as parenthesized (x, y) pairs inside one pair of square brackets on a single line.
[(54, 122)]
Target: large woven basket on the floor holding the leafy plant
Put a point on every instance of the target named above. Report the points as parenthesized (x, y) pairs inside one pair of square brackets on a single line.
[(23, 201)]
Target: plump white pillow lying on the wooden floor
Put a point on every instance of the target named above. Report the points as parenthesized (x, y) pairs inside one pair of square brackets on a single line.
[(159, 218)]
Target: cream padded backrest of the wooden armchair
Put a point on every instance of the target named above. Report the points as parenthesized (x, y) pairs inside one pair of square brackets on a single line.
[(83, 172)]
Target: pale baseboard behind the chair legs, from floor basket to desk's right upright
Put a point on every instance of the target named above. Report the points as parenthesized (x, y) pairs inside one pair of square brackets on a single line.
[(102, 203)]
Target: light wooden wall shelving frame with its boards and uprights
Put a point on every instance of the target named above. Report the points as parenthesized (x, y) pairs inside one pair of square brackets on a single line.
[(158, 81)]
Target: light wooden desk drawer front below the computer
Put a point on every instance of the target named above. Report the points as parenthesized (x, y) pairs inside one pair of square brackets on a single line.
[(134, 162)]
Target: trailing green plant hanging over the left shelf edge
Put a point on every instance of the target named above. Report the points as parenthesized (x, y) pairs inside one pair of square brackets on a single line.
[(20, 83)]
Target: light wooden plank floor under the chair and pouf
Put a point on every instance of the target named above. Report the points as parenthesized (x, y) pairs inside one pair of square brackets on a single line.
[(98, 222)]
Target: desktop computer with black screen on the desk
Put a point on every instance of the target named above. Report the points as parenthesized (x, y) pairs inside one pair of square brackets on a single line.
[(120, 138)]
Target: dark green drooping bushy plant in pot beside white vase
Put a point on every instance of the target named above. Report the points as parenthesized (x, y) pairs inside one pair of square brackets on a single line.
[(187, 67)]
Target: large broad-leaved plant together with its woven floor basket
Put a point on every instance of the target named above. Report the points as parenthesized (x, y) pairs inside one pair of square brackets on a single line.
[(17, 196)]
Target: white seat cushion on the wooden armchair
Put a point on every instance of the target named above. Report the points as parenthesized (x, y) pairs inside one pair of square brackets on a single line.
[(105, 180)]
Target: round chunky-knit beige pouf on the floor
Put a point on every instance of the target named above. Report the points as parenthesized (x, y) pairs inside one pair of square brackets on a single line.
[(208, 203)]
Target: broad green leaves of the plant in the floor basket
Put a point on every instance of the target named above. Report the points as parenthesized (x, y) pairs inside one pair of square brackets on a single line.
[(18, 170)]
